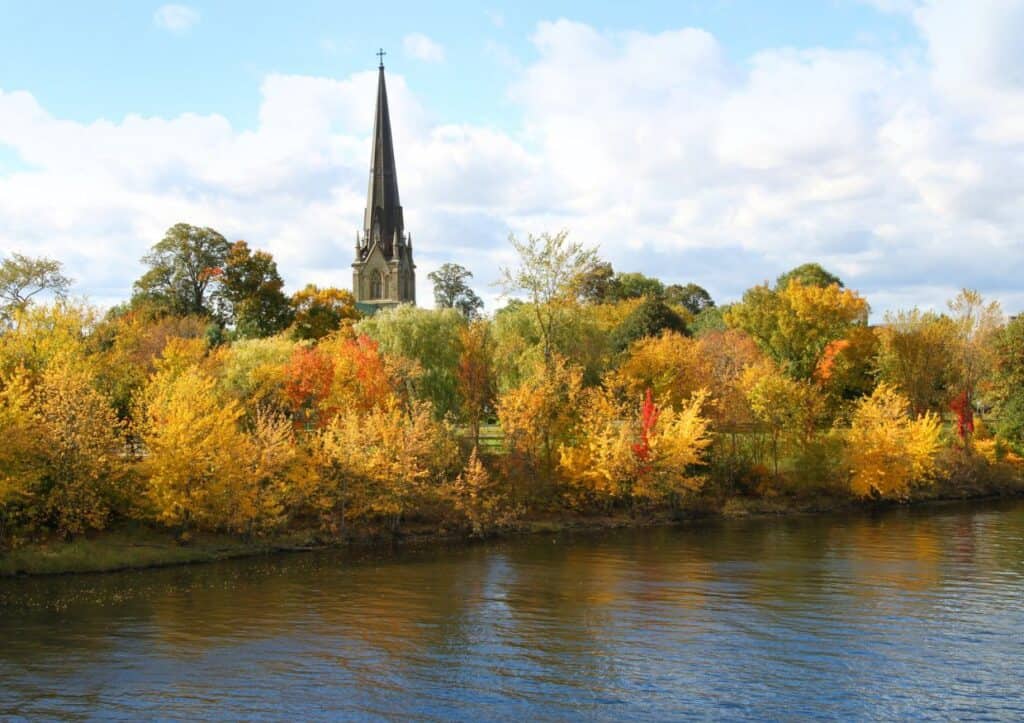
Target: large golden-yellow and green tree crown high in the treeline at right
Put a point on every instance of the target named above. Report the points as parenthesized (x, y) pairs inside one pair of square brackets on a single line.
[(796, 324)]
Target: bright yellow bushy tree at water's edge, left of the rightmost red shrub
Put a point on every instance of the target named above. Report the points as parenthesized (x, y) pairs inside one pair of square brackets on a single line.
[(888, 451)]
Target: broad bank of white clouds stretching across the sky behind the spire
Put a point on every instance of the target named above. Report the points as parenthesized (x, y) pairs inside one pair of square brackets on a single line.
[(905, 175)]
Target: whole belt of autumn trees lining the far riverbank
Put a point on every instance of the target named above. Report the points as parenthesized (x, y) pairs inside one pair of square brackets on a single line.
[(212, 401)]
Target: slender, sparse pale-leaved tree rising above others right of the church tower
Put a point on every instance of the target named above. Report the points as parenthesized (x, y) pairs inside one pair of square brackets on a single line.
[(550, 274)]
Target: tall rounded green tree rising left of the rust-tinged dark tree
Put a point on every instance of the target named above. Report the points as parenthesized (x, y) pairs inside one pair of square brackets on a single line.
[(183, 267)]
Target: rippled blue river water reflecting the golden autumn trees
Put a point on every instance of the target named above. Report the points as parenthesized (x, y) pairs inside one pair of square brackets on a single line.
[(902, 614)]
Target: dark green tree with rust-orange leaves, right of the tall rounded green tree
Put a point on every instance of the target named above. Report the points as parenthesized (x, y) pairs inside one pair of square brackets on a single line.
[(251, 292)]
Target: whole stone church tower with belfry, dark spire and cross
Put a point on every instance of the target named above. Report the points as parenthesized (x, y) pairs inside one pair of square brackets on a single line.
[(383, 273)]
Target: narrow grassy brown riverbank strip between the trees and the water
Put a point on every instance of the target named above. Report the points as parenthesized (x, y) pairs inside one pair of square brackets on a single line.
[(137, 546)]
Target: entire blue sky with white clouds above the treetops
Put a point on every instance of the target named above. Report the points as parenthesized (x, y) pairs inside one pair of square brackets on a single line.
[(719, 142)]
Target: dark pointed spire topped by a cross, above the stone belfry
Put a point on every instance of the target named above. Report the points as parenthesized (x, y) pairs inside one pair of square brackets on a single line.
[(383, 220)]
